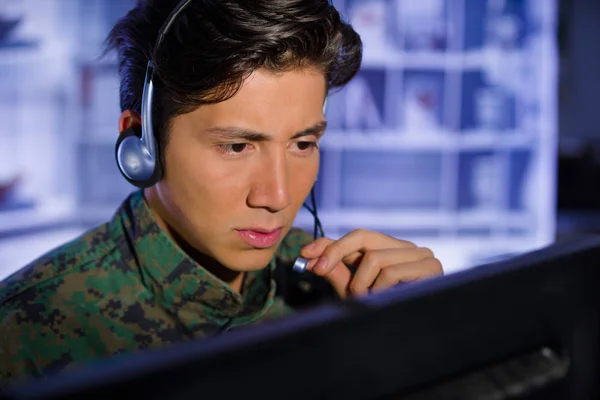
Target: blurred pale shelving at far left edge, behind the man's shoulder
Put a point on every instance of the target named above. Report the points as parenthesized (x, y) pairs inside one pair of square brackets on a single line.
[(28, 97)]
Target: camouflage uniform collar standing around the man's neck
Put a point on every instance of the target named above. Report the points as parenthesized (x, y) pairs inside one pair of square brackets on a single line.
[(178, 282)]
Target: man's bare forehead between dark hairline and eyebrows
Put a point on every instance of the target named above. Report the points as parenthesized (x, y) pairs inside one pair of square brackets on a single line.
[(274, 103)]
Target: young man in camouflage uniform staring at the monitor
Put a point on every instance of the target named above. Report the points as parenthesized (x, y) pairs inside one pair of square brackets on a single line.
[(237, 114)]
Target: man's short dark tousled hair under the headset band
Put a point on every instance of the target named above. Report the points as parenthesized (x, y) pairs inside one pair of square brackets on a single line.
[(215, 44)]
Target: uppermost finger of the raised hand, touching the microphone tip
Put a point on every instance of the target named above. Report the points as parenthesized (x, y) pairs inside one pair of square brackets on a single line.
[(354, 244)]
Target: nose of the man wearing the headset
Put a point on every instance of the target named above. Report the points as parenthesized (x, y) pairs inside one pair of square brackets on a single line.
[(271, 186)]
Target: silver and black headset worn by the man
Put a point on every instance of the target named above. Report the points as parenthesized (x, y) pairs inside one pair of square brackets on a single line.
[(136, 150)]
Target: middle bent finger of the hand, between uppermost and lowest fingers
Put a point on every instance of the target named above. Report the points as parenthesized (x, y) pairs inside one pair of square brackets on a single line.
[(374, 261)]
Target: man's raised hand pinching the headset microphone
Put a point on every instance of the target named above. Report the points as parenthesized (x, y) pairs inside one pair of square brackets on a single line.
[(382, 262)]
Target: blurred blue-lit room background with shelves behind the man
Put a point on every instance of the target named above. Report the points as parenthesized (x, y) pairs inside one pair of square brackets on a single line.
[(471, 128)]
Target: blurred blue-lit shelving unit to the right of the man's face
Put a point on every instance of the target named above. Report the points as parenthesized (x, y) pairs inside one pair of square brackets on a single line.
[(482, 151)]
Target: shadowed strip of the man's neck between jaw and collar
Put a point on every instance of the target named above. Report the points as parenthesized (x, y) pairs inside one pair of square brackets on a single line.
[(233, 279)]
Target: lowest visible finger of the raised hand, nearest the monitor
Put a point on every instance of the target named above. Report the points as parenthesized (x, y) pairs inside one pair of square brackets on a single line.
[(407, 272)]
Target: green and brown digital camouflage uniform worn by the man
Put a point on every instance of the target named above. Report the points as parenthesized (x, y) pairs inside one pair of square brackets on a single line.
[(125, 286)]
